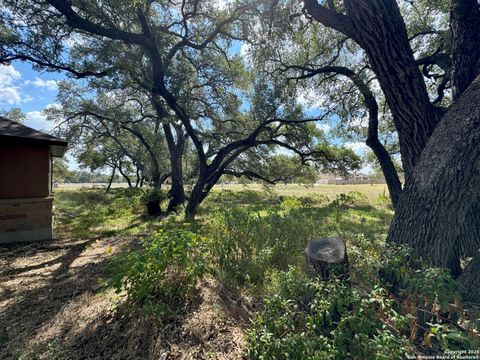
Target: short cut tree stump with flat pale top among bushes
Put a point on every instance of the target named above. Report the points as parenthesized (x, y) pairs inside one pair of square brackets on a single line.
[(328, 256)]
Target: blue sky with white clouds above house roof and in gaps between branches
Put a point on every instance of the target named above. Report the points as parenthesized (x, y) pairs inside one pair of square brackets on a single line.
[(32, 91)]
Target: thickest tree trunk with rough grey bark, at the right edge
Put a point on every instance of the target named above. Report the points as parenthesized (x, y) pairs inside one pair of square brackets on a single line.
[(435, 213)]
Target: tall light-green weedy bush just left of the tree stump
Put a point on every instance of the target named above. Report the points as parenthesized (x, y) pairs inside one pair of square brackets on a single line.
[(245, 245)]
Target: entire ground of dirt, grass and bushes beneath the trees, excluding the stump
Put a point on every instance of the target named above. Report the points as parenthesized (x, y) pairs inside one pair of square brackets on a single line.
[(118, 284)]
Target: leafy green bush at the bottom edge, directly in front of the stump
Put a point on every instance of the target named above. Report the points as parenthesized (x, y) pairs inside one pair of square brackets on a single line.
[(305, 319)]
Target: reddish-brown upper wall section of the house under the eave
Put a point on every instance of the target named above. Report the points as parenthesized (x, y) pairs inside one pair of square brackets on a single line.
[(24, 170)]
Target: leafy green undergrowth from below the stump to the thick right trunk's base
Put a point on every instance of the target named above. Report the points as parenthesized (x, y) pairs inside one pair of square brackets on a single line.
[(306, 319)]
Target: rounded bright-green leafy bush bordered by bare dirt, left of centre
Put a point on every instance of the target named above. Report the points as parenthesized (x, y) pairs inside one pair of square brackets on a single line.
[(163, 272)]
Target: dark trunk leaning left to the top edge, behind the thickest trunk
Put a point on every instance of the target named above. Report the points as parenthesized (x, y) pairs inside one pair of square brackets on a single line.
[(382, 34)]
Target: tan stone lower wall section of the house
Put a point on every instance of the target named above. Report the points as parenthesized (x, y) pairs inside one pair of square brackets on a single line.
[(25, 220)]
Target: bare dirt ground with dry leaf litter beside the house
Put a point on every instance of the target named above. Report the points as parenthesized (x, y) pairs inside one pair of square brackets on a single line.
[(51, 307)]
